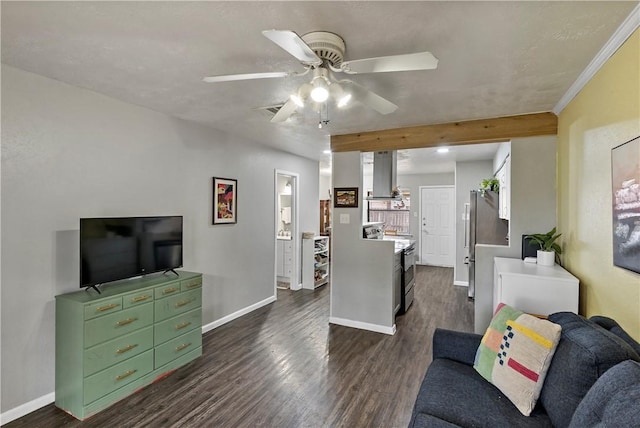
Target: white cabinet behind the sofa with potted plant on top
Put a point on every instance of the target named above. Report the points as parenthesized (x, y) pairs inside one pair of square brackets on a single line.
[(539, 290)]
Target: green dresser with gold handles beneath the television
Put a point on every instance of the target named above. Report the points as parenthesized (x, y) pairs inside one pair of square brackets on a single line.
[(109, 345)]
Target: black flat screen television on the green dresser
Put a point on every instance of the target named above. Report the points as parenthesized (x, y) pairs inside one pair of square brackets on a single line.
[(117, 248)]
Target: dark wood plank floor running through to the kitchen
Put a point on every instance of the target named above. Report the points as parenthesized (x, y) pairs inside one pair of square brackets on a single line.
[(285, 366)]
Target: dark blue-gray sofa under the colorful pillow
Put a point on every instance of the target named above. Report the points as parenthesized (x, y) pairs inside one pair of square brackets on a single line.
[(593, 381)]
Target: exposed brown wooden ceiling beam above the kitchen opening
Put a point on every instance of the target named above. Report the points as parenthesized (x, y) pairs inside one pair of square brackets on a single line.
[(449, 134)]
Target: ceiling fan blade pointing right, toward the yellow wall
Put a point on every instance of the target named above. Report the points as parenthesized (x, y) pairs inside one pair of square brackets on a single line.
[(383, 64)]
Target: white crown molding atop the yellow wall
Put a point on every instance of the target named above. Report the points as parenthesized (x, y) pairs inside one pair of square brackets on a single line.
[(624, 31)]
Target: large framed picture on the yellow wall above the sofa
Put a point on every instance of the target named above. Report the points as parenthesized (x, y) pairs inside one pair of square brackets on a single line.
[(625, 180)]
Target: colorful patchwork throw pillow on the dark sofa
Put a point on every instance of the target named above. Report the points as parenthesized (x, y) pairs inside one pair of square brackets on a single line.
[(515, 354)]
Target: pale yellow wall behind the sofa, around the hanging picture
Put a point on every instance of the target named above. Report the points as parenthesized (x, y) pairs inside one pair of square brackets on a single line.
[(605, 114)]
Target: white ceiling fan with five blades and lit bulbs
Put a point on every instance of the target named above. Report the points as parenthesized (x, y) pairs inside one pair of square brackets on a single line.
[(322, 54)]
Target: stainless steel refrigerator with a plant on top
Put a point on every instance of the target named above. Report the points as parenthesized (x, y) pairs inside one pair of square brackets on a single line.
[(484, 226)]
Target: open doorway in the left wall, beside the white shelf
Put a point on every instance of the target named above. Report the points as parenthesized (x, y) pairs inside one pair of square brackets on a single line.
[(287, 241)]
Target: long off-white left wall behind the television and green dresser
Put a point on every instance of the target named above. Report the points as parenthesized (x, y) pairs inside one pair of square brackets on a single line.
[(69, 153)]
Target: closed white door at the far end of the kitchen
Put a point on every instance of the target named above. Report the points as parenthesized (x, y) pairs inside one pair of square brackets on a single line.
[(437, 226)]
